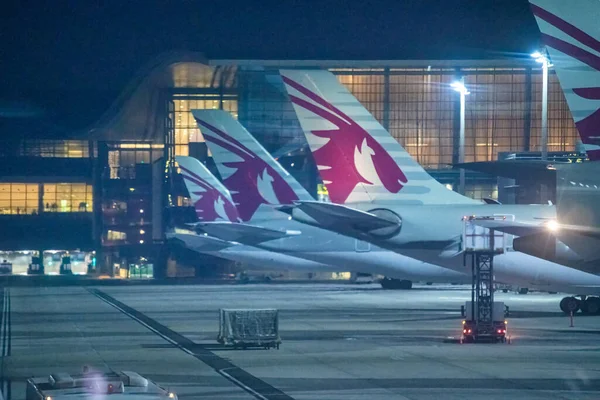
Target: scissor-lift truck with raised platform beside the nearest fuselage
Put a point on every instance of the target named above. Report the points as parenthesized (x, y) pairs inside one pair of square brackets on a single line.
[(484, 318)]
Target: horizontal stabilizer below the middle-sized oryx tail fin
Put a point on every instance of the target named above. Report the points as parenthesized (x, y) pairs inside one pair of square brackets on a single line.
[(242, 233)]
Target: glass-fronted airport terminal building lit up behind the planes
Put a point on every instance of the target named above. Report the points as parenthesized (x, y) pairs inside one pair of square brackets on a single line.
[(104, 196)]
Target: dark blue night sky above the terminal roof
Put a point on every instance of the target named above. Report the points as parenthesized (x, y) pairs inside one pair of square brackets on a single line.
[(55, 54)]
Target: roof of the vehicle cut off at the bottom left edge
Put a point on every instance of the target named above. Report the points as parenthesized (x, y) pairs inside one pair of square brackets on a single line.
[(94, 384)]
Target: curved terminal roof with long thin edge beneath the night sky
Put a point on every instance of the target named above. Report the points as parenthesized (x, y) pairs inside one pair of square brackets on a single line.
[(139, 112)]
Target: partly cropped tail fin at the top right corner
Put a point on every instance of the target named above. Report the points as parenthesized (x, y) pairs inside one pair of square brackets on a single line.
[(571, 33)]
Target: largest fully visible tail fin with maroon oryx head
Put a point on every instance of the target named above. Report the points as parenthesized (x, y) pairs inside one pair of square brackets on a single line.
[(357, 158)]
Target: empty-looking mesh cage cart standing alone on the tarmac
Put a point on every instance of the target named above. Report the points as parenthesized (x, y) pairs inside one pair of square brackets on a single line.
[(243, 328)]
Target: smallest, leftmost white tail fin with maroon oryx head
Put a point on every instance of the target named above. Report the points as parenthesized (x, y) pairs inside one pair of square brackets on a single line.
[(211, 200)]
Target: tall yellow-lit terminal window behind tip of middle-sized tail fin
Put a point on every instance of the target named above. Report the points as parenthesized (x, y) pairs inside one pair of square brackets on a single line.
[(185, 127)]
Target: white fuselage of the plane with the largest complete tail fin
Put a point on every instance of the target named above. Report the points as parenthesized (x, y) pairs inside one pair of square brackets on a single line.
[(433, 234)]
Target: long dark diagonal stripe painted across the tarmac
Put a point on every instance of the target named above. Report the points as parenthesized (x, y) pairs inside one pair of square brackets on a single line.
[(241, 378)]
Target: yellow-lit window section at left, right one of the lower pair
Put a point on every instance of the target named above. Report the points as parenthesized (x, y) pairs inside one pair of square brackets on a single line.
[(67, 197)]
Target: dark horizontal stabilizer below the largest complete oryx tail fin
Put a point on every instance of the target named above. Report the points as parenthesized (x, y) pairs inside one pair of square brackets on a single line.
[(330, 214)]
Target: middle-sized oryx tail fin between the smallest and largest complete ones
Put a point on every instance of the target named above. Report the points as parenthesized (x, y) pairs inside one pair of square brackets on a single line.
[(248, 170)]
